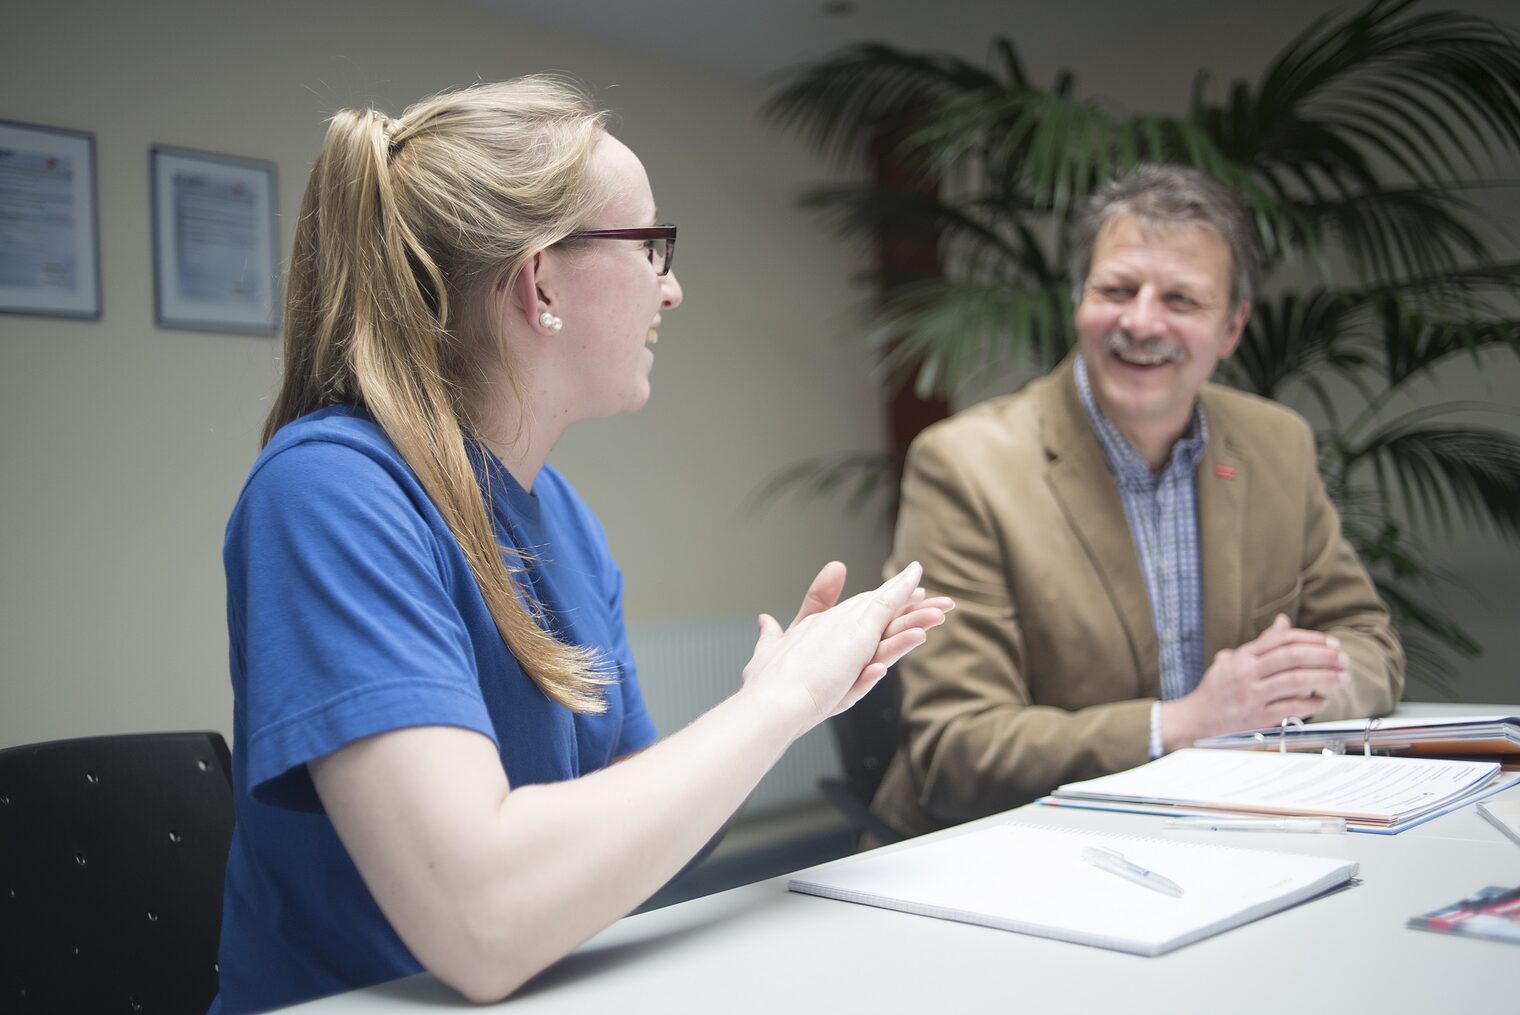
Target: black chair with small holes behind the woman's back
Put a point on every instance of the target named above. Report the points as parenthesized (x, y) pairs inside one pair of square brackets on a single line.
[(112, 862)]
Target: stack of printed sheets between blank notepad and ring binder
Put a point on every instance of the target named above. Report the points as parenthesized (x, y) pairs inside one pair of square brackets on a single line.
[(1372, 794)]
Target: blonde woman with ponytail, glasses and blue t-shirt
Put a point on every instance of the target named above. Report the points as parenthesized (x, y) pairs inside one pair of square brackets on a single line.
[(437, 713)]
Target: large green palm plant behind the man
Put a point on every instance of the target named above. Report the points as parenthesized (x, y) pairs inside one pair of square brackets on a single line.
[(1361, 153)]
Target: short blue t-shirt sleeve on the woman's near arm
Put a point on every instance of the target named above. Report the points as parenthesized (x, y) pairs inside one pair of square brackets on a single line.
[(349, 628)]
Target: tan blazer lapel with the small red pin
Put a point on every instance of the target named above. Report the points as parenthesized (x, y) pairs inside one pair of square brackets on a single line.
[(1223, 485)]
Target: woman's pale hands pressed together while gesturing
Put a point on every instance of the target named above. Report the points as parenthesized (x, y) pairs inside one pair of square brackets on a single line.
[(834, 653)]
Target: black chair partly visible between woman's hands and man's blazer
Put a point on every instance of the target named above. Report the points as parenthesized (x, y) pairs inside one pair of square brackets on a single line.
[(867, 739)]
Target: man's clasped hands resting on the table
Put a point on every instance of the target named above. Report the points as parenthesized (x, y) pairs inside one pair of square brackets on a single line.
[(1281, 674)]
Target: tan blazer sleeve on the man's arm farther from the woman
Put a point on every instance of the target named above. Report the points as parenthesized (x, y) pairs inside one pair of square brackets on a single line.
[(1338, 598)]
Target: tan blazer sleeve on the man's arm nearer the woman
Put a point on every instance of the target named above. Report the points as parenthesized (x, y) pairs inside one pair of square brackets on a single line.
[(975, 739)]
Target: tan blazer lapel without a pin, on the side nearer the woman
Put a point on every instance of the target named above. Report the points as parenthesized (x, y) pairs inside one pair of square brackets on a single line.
[(1083, 484)]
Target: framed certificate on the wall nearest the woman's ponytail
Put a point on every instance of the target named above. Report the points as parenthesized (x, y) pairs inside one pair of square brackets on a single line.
[(215, 242)]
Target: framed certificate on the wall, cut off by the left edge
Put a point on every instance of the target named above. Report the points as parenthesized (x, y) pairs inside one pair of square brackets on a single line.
[(49, 223)]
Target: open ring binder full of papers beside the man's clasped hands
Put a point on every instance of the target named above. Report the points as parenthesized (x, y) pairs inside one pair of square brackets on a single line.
[(1454, 736)]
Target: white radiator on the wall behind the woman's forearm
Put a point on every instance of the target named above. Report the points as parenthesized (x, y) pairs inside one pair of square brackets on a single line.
[(689, 666)]
